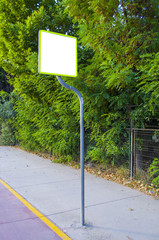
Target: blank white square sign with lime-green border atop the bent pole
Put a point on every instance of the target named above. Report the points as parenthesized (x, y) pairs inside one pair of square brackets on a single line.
[(57, 54)]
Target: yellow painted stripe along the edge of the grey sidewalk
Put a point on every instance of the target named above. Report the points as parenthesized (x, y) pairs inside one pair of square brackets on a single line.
[(37, 213)]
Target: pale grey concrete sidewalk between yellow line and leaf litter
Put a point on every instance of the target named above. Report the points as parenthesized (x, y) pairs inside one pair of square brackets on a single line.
[(113, 211)]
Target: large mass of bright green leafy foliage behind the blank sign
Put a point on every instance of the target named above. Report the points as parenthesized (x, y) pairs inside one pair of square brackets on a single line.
[(118, 45)]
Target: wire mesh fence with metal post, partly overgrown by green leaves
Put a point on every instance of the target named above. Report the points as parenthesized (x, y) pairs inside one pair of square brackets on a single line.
[(144, 143)]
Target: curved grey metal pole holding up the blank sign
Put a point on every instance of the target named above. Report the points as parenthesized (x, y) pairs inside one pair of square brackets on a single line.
[(81, 142)]
